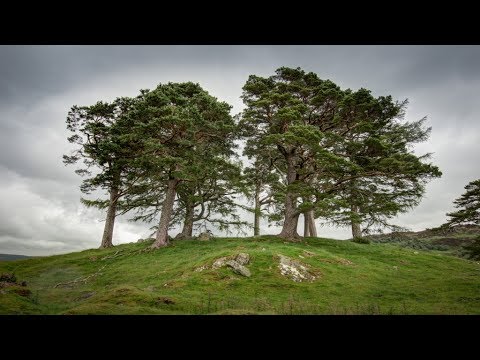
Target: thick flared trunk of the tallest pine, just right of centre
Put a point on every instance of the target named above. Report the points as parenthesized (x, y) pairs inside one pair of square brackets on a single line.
[(289, 230)]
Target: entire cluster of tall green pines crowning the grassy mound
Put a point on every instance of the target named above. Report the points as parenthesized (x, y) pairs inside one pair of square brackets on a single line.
[(169, 155)]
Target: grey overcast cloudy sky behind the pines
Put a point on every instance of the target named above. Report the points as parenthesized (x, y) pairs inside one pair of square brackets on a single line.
[(40, 212)]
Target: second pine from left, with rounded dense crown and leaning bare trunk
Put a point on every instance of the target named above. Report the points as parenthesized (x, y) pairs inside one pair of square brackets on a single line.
[(181, 129)]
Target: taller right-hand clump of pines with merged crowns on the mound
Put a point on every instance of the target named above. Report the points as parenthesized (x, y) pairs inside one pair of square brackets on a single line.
[(333, 146)]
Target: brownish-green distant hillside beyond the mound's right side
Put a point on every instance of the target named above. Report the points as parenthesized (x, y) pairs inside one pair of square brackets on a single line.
[(451, 240)]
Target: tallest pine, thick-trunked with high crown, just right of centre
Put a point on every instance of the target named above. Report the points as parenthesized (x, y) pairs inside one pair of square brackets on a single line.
[(291, 112)]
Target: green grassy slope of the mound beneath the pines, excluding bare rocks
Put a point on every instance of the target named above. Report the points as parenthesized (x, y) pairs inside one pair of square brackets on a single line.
[(351, 279)]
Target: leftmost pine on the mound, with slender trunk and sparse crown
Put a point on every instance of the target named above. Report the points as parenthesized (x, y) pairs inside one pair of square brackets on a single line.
[(101, 144)]
